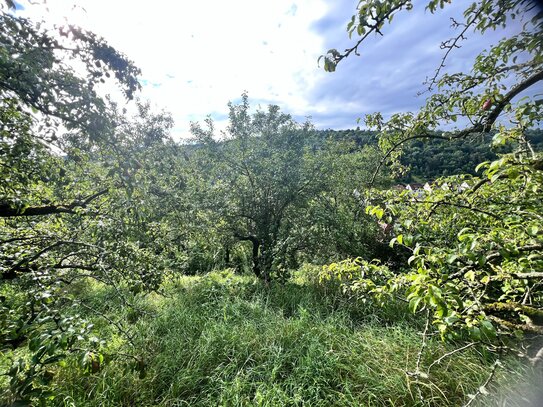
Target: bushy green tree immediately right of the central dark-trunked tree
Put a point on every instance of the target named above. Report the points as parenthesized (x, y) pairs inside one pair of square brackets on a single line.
[(332, 225)]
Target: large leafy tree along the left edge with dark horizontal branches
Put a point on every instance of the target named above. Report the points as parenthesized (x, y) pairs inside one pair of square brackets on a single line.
[(69, 164)]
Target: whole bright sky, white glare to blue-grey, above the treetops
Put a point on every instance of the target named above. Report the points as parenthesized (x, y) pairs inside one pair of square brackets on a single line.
[(197, 56)]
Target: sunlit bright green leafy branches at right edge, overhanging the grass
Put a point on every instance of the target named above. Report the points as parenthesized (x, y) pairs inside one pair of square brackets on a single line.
[(477, 247)]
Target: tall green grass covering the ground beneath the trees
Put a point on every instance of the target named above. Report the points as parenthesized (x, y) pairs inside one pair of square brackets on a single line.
[(227, 340)]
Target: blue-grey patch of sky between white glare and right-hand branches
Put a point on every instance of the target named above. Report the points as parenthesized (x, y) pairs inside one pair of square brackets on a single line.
[(391, 70)]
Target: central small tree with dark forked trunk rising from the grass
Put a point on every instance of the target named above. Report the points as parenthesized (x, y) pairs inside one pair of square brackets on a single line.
[(258, 175)]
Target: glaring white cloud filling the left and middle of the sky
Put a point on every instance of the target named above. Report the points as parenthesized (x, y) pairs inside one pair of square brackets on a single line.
[(196, 56)]
